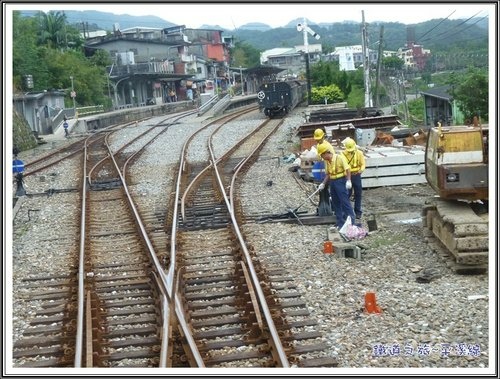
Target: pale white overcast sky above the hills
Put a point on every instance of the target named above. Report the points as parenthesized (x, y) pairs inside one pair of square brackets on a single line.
[(231, 16)]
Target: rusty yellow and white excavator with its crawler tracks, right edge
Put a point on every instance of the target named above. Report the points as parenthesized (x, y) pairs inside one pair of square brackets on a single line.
[(456, 167)]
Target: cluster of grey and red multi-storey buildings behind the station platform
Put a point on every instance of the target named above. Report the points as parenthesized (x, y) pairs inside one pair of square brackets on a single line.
[(150, 62)]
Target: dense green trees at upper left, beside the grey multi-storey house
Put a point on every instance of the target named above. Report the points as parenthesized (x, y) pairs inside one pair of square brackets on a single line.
[(52, 66)]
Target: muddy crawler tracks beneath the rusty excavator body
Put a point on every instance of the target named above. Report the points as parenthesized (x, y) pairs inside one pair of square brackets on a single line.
[(459, 234)]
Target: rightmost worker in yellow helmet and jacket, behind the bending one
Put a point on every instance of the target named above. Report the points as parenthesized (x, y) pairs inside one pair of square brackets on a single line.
[(356, 161)]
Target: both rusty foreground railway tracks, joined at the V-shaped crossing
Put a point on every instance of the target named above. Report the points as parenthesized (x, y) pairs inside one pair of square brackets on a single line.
[(127, 303)]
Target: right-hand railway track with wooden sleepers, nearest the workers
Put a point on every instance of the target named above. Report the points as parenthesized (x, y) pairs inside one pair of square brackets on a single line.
[(236, 321)]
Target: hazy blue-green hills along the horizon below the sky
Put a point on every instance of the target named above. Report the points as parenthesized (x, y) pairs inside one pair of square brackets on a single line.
[(433, 34)]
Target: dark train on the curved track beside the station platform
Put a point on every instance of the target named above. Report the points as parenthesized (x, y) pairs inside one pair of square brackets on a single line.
[(279, 98)]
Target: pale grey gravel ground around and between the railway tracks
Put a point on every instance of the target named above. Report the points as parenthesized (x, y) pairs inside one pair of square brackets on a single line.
[(441, 324)]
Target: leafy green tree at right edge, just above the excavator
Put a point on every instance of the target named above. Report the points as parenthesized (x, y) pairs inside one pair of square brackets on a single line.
[(470, 90)]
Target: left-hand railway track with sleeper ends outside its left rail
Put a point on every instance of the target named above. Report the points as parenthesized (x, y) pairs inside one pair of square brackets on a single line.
[(122, 319)]
